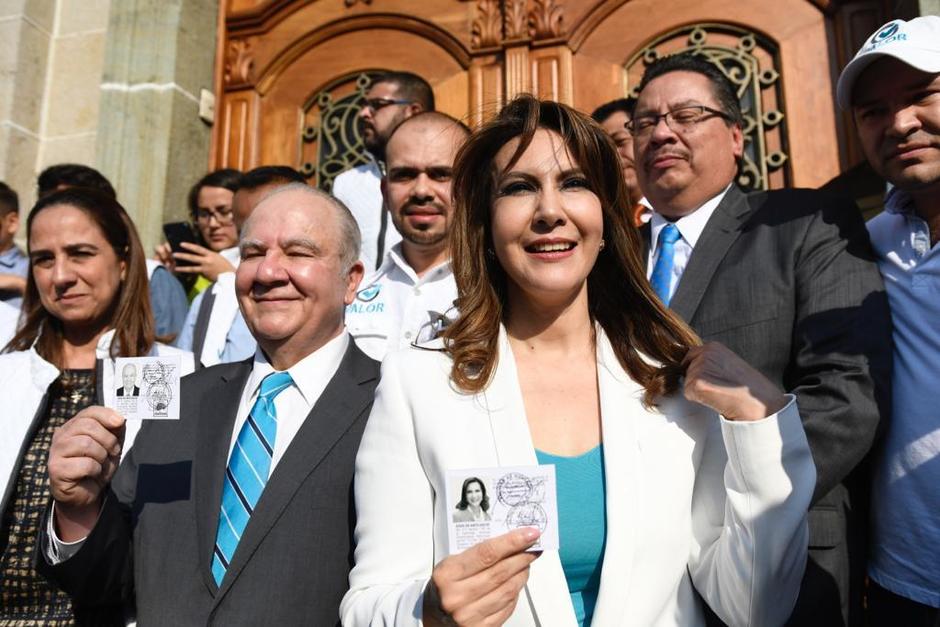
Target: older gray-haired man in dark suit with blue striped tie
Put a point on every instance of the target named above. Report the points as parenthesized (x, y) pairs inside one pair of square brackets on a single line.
[(241, 511)]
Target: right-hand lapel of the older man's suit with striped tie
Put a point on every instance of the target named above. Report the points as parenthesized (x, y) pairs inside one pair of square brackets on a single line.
[(342, 401)]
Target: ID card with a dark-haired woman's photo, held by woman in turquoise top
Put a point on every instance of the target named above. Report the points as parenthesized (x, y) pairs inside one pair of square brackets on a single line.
[(486, 502)]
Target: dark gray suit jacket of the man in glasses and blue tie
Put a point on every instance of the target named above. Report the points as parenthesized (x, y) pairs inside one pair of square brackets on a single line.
[(786, 279)]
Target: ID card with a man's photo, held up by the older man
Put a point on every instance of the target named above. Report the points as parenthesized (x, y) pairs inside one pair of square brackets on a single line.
[(146, 388)]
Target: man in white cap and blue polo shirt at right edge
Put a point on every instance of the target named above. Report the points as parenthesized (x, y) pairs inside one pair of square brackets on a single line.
[(892, 87)]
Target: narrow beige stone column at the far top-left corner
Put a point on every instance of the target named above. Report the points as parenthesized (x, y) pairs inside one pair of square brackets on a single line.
[(25, 32)]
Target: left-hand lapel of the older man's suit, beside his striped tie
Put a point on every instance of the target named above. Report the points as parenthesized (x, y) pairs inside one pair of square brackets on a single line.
[(216, 418)]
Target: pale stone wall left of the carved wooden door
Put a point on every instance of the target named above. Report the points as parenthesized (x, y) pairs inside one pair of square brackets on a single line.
[(114, 85)]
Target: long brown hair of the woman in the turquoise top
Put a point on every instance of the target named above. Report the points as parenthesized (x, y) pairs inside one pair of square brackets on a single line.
[(620, 298)]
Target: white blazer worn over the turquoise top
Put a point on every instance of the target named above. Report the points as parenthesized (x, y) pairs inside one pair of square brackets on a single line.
[(692, 500)]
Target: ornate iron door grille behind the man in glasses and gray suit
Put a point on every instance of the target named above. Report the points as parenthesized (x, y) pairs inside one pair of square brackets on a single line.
[(752, 62)]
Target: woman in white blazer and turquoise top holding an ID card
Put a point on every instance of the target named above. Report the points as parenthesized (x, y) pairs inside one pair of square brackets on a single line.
[(563, 352)]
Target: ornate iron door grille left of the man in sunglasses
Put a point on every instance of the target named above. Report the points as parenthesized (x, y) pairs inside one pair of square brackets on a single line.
[(332, 142)]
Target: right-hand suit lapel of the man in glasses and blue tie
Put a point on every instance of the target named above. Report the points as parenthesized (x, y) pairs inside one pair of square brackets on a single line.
[(720, 233)]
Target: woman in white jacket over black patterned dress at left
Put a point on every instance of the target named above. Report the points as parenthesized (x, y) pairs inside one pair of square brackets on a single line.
[(86, 302)]
